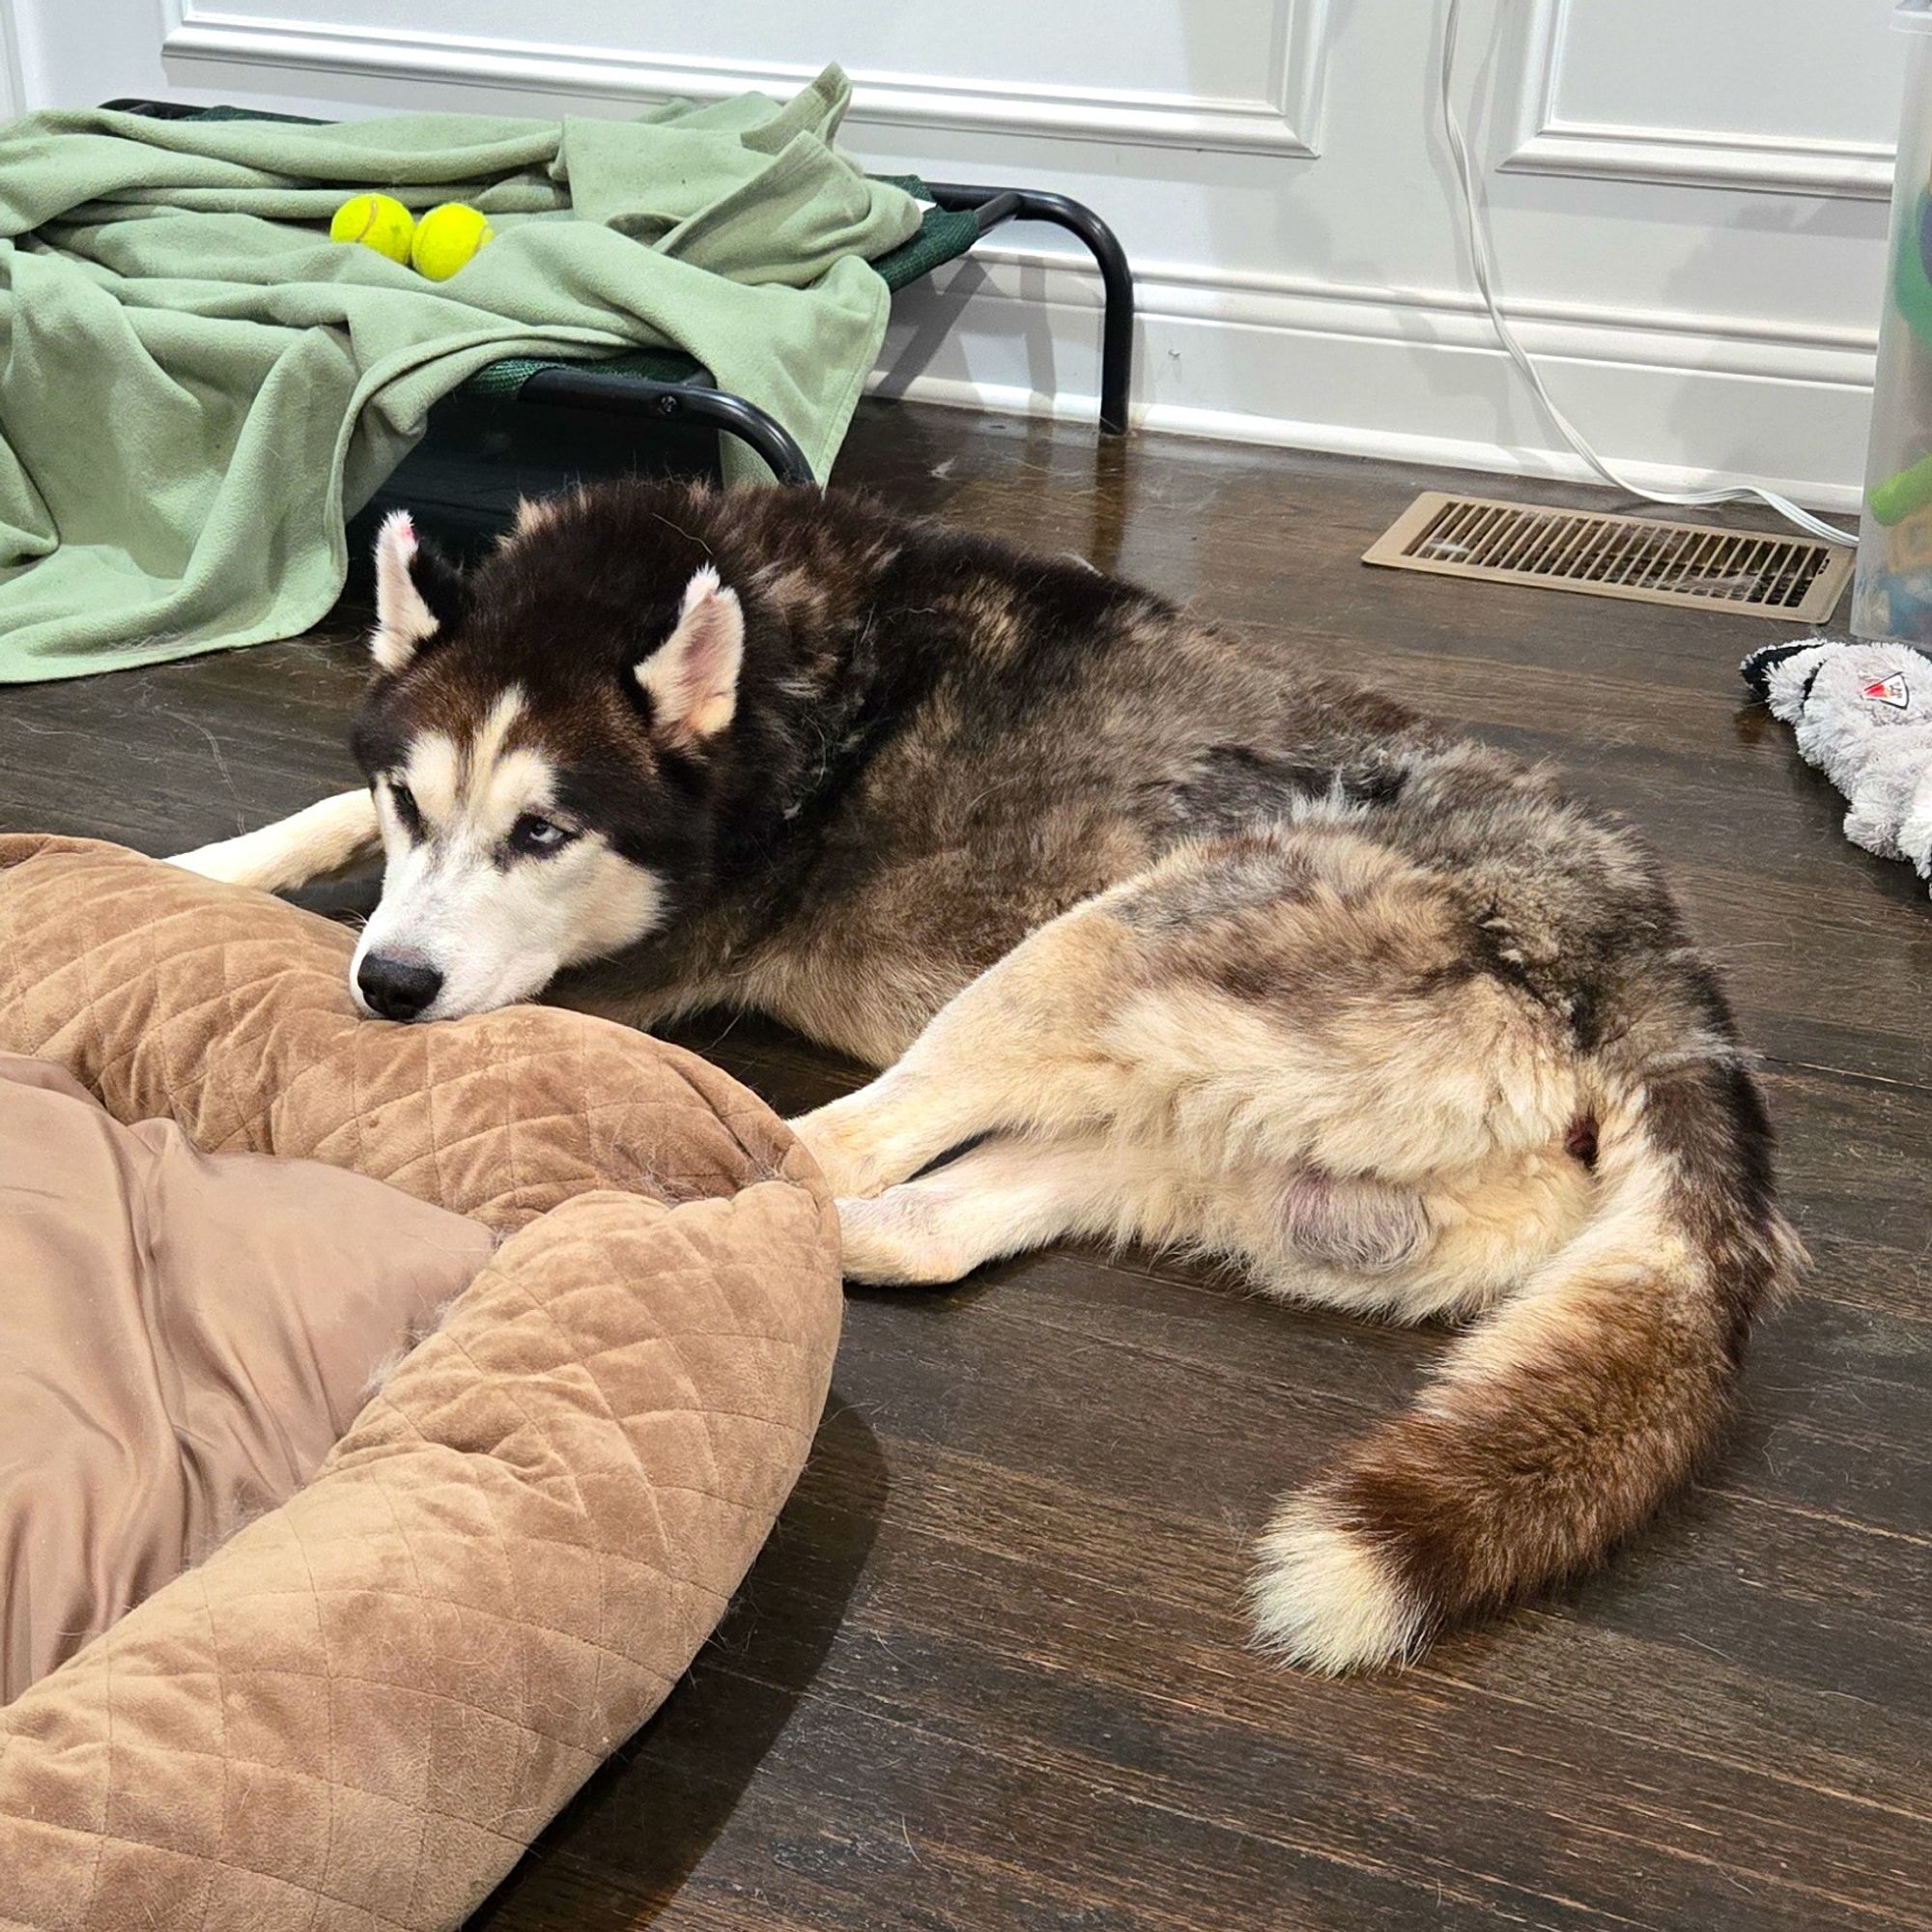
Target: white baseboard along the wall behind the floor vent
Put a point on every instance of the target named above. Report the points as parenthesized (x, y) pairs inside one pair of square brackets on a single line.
[(1419, 378)]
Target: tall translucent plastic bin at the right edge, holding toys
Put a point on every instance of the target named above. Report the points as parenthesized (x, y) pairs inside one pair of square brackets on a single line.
[(1892, 592)]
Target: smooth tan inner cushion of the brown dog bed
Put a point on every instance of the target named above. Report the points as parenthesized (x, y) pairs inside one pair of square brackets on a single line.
[(183, 1340)]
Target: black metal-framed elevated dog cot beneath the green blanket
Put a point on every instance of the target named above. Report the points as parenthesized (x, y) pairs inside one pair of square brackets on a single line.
[(677, 397)]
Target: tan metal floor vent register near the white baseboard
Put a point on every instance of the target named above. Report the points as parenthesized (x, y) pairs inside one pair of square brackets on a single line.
[(1647, 559)]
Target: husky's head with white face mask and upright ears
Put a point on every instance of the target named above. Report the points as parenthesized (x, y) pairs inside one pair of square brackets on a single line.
[(542, 741)]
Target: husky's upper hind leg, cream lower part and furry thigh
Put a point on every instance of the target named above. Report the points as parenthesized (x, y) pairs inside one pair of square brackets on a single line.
[(1297, 1002)]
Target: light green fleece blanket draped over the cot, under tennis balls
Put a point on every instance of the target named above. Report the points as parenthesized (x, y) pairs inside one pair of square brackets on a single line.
[(198, 387)]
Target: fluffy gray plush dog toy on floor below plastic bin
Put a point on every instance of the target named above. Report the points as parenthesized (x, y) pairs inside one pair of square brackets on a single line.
[(1863, 716)]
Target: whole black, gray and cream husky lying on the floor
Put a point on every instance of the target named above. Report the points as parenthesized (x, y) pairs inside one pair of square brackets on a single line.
[(1160, 934)]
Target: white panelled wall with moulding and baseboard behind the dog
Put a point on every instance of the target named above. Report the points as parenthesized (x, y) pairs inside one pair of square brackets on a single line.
[(1688, 196)]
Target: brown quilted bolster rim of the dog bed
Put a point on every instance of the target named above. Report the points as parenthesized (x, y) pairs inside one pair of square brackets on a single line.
[(360, 1707)]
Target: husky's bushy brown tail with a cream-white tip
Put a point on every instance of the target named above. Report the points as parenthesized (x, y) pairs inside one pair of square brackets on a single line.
[(1568, 1415)]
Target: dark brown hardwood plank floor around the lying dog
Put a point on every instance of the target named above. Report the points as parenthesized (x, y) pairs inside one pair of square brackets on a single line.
[(992, 1670)]
